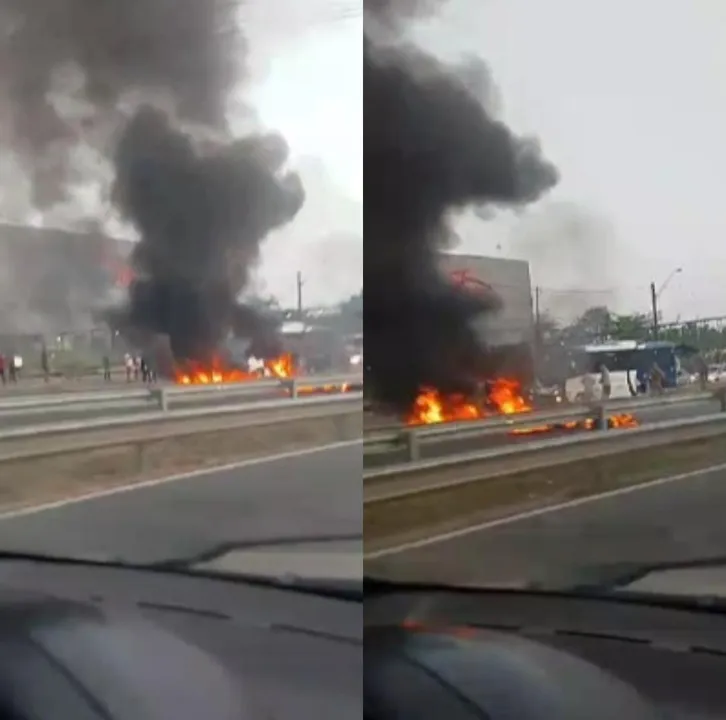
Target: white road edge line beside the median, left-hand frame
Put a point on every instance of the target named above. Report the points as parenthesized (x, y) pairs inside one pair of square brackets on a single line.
[(192, 474)]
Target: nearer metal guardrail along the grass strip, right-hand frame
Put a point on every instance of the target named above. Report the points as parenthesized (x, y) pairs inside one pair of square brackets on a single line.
[(539, 454)]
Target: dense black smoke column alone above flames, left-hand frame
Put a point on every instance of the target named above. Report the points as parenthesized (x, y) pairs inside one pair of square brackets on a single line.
[(201, 219)]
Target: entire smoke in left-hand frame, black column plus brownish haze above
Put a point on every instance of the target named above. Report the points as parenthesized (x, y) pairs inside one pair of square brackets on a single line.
[(201, 215)]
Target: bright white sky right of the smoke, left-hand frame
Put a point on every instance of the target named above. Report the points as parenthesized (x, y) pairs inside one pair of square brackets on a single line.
[(307, 82)]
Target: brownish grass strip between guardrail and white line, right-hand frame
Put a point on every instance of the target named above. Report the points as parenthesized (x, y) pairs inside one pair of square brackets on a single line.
[(393, 521)]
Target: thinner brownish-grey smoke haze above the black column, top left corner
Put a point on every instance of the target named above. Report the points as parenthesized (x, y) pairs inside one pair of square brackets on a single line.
[(68, 65)]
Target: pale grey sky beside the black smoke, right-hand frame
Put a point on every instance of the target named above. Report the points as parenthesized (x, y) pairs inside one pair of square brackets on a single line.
[(629, 100)]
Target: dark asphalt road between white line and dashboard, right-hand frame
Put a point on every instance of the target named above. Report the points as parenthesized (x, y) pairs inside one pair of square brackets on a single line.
[(678, 520)]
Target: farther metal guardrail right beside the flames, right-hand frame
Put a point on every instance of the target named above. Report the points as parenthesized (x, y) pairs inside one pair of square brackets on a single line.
[(411, 438)]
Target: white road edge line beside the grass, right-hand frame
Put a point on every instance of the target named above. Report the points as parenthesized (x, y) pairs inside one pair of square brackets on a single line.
[(529, 514)]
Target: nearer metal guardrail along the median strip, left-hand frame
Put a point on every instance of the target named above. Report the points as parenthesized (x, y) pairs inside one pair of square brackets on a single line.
[(251, 409)]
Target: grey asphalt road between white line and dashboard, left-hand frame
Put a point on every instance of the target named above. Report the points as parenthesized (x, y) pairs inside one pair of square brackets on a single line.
[(311, 493)]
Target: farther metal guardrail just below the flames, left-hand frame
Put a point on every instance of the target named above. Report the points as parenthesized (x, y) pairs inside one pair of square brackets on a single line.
[(164, 397)]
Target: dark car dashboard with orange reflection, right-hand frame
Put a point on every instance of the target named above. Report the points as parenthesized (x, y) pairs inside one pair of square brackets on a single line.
[(434, 652)]
